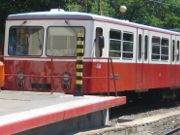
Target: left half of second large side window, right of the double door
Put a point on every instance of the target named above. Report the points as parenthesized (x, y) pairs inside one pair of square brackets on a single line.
[(155, 48)]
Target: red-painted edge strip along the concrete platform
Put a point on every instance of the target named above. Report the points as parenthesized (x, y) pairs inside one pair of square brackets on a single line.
[(38, 121)]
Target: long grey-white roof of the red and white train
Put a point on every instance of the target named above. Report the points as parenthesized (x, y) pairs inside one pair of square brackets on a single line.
[(61, 14)]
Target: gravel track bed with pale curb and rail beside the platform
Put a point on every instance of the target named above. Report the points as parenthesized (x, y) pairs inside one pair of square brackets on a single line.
[(142, 119)]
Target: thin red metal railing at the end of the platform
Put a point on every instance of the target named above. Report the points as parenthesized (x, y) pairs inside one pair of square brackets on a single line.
[(109, 75)]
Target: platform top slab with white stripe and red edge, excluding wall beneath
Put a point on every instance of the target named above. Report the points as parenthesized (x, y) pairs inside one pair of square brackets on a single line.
[(20, 111)]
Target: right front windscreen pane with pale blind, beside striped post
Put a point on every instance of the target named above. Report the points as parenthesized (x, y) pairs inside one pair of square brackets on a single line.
[(62, 41)]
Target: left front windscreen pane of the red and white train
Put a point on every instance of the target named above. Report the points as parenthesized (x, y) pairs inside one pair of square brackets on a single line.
[(25, 41)]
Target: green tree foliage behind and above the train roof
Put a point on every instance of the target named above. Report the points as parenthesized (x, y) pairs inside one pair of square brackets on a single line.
[(160, 13)]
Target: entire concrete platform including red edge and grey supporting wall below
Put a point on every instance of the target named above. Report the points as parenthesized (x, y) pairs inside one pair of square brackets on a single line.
[(44, 113)]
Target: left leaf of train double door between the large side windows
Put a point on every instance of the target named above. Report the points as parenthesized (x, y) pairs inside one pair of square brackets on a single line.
[(139, 64)]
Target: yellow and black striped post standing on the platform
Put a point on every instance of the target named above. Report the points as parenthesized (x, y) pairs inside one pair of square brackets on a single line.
[(79, 63)]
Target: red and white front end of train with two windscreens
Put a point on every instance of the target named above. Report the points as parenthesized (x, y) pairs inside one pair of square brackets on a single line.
[(41, 52)]
